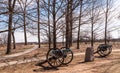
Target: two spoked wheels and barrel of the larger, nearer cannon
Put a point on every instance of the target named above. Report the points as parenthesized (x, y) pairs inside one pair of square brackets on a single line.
[(57, 57)]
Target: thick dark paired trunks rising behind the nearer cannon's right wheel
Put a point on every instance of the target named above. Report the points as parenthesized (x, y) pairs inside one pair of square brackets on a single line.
[(69, 23)]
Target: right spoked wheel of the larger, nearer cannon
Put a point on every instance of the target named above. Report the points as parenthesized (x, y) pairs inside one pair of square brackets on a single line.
[(68, 56)]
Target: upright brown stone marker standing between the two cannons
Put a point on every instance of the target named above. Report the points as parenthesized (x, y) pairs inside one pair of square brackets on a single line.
[(89, 55)]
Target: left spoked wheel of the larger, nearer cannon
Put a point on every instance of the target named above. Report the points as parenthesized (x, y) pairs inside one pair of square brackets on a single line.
[(53, 60)]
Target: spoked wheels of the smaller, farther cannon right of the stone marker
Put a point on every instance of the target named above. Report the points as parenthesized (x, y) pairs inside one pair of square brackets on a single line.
[(104, 52)]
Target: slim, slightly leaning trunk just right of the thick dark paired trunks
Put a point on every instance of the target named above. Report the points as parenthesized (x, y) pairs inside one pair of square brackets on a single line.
[(78, 38)]
